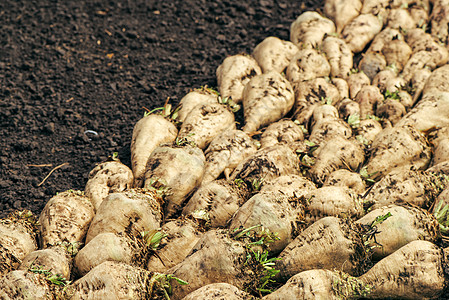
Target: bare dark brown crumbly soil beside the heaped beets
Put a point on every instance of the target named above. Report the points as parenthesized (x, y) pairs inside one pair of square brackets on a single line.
[(75, 76)]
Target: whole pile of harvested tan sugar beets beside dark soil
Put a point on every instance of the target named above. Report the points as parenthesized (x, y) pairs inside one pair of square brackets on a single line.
[(310, 174)]
